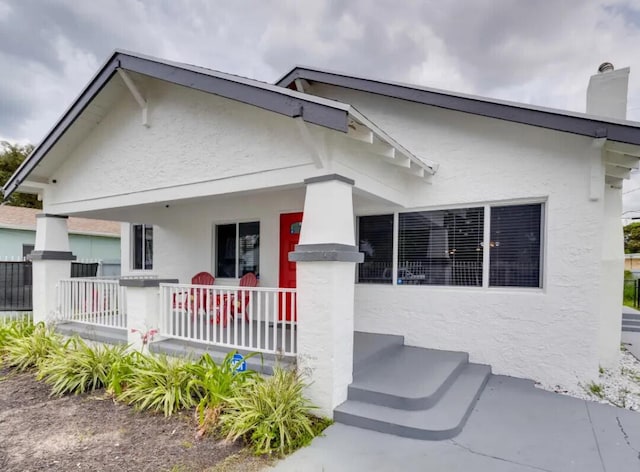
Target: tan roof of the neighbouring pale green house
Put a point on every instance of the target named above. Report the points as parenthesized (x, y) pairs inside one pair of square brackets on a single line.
[(25, 219)]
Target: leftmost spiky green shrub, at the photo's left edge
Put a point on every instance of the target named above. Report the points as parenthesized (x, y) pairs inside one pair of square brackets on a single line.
[(24, 351)]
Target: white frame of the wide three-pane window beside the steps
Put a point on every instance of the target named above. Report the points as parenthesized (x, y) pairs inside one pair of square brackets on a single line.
[(486, 259)]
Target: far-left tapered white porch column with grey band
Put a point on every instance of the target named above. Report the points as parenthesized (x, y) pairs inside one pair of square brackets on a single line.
[(51, 261)]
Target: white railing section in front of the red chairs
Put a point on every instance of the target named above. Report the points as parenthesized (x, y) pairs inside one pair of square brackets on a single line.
[(258, 319)]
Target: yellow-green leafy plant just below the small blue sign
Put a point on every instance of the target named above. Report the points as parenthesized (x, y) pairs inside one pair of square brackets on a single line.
[(215, 384)]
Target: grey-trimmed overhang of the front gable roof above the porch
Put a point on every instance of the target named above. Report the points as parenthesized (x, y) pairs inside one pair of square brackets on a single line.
[(310, 109)]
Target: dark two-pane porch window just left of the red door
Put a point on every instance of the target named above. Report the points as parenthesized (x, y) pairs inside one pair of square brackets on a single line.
[(237, 249)]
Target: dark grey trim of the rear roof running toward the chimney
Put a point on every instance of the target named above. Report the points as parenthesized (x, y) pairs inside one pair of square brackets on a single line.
[(576, 123)]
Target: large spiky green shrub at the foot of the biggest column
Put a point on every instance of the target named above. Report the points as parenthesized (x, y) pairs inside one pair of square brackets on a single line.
[(272, 414)]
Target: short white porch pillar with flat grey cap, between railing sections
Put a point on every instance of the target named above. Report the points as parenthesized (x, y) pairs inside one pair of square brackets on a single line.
[(143, 307)]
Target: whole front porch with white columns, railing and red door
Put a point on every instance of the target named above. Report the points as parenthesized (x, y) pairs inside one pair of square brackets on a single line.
[(306, 272)]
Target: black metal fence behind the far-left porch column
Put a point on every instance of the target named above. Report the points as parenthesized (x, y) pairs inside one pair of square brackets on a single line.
[(16, 283)]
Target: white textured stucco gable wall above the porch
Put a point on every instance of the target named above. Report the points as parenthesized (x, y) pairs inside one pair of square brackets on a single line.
[(193, 137)]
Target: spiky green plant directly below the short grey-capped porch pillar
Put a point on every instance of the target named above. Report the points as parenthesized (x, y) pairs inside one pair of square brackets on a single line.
[(160, 383)]
